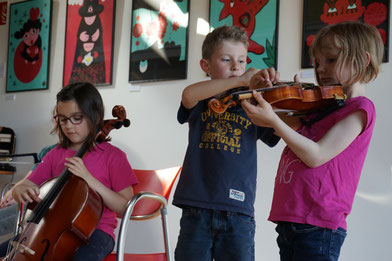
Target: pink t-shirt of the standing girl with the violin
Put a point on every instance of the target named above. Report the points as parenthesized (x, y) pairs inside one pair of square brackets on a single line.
[(322, 196)]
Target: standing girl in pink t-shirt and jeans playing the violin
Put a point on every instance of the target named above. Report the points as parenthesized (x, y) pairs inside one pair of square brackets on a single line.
[(320, 167)]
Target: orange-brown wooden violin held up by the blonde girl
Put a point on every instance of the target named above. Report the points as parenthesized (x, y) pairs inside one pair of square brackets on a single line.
[(292, 96)]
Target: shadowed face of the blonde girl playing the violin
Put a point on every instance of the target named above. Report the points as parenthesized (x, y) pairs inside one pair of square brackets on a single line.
[(327, 67)]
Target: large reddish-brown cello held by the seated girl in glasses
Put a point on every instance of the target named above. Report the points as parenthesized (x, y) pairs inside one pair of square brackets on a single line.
[(67, 215)]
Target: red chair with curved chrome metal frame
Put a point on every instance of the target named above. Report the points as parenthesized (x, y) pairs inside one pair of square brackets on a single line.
[(150, 199)]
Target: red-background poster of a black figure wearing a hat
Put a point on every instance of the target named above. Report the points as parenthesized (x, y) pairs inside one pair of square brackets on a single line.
[(89, 42)]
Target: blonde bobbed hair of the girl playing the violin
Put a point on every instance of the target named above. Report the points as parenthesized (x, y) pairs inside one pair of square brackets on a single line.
[(354, 40)]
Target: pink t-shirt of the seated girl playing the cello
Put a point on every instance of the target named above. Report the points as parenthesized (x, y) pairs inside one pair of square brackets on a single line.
[(106, 163)]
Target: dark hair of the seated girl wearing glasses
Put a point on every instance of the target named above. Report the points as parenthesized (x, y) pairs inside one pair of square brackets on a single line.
[(91, 105)]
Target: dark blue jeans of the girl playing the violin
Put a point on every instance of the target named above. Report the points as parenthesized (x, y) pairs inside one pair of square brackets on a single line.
[(306, 242)]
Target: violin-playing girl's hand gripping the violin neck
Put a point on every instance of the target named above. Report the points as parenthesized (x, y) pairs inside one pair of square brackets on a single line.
[(262, 113)]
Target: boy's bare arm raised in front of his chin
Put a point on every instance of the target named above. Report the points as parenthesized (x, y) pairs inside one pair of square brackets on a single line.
[(206, 89)]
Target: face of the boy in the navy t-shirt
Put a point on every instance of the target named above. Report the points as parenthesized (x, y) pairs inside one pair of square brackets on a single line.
[(228, 60)]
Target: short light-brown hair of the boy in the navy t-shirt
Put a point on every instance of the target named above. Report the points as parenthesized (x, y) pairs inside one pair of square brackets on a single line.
[(215, 38)]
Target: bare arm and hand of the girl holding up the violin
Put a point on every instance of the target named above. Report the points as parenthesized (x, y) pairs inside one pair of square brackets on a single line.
[(312, 154)]
